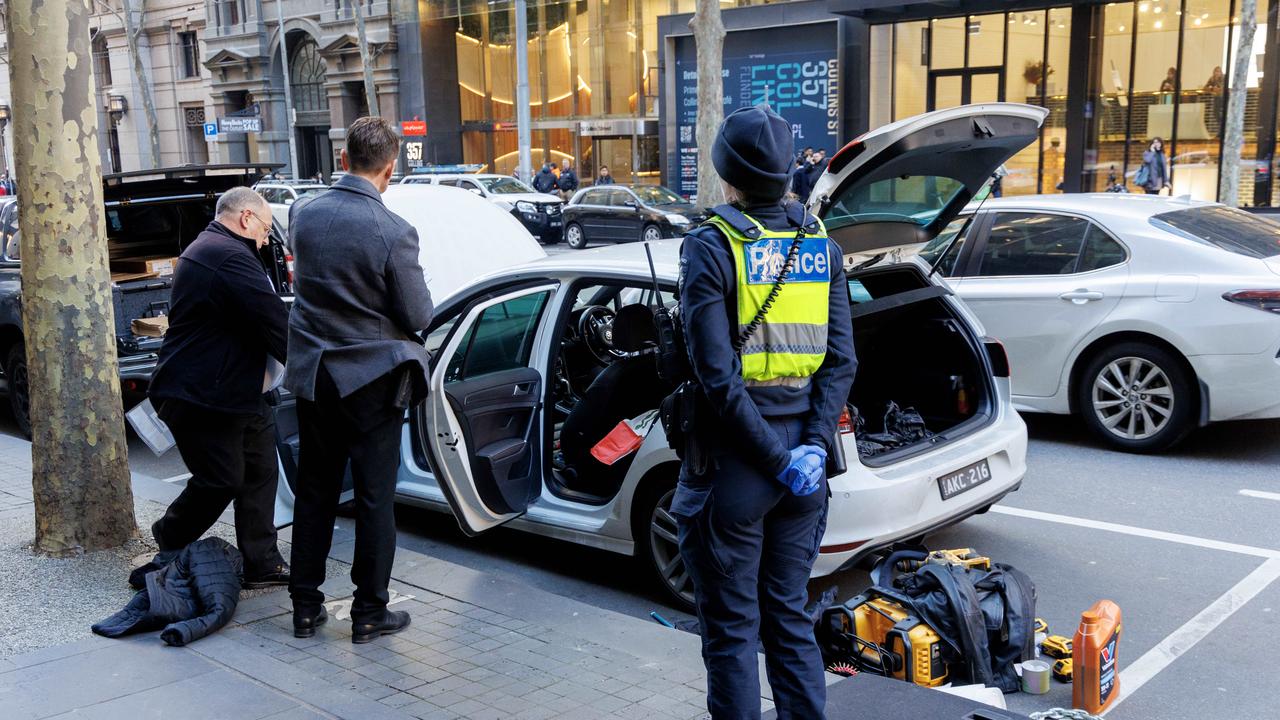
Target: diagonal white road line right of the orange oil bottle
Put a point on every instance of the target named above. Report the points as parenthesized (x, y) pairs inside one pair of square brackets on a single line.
[(1196, 630)]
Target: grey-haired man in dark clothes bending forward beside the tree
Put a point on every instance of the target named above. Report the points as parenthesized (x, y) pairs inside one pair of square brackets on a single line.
[(226, 320)]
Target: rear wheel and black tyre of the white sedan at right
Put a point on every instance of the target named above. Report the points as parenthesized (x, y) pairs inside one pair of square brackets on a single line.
[(1139, 398)]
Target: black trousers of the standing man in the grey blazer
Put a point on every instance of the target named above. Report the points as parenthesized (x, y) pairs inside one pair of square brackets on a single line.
[(365, 430)]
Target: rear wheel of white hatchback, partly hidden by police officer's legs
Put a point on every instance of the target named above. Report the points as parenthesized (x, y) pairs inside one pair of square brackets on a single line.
[(657, 546)]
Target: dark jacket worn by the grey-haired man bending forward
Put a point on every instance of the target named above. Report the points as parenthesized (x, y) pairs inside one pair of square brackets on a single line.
[(225, 320)]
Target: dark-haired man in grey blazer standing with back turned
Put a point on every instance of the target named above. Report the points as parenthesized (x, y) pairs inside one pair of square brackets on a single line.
[(356, 363)]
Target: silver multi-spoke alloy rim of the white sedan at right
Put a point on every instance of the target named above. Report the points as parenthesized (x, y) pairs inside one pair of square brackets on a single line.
[(1133, 398)]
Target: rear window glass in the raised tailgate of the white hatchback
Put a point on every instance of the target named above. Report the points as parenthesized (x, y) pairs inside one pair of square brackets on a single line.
[(916, 199)]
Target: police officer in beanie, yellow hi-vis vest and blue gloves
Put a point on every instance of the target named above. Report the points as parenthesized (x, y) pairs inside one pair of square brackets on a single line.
[(751, 523)]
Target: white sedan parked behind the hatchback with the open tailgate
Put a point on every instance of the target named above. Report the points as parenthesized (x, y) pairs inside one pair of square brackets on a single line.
[(1145, 316)]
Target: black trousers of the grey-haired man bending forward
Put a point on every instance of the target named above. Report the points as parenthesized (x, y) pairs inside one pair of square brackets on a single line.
[(232, 462)]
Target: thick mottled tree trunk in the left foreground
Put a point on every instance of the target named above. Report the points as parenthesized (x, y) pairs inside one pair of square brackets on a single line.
[(80, 462)]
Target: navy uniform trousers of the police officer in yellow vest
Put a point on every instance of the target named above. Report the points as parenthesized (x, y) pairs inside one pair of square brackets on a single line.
[(749, 545)]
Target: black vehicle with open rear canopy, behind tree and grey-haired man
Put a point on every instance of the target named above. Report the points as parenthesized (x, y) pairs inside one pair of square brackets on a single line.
[(149, 215)]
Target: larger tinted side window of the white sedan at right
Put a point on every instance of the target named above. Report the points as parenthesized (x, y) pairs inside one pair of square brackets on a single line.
[(1034, 244)]
